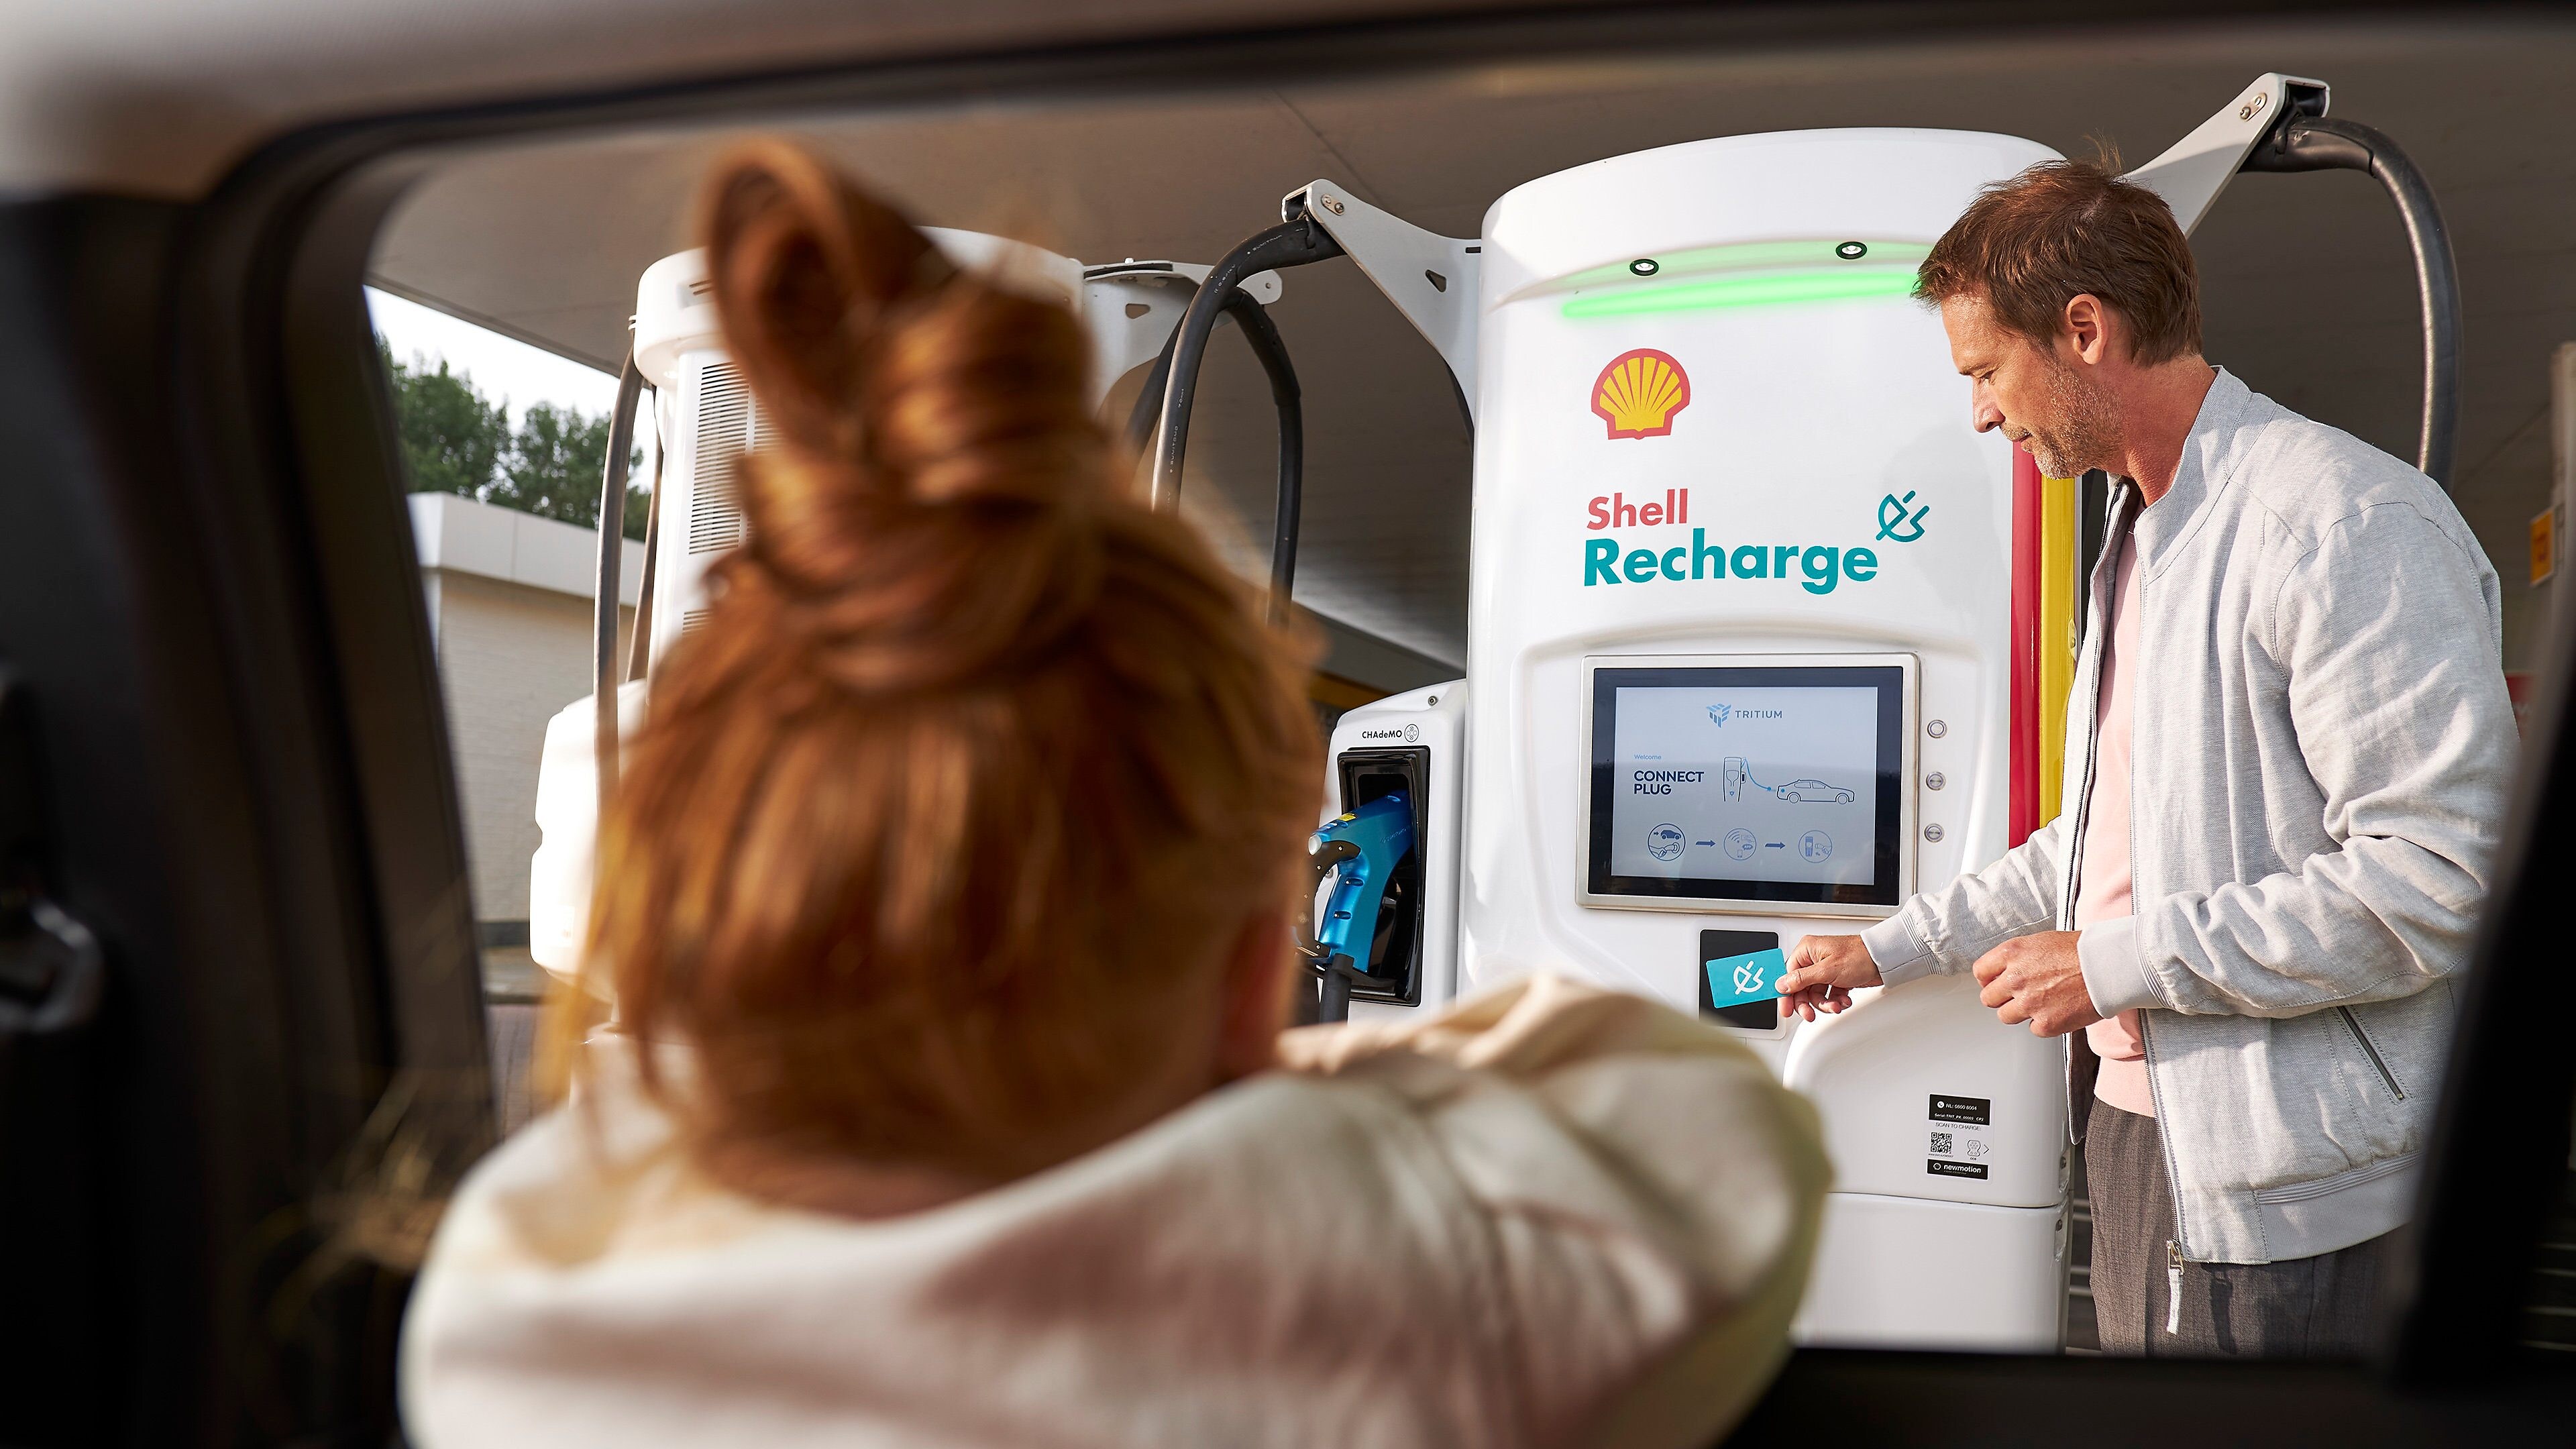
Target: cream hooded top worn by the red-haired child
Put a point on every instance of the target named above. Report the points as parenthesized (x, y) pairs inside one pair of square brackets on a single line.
[(1549, 1216)]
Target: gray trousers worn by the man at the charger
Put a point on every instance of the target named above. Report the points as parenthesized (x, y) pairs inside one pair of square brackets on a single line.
[(2302, 1308)]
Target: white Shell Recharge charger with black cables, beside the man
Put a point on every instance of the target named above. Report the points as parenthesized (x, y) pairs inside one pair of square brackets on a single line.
[(1763, 641)]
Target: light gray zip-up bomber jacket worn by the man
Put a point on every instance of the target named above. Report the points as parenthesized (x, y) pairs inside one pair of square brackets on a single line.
[(2317, 785)]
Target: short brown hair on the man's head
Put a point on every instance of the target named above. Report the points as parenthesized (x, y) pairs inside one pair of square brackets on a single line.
[(2065, 228)]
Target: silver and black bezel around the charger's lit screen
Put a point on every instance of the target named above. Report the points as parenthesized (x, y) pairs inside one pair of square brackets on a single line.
[(1892, 868)]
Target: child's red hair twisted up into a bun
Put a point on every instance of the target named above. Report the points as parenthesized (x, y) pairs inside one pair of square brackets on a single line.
[(975, 764)]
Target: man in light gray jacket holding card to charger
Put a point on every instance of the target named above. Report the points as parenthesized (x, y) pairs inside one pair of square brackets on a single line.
[(2289, 752)]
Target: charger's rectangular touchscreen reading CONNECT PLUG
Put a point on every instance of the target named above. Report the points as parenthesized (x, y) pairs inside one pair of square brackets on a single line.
[(1748, 783)]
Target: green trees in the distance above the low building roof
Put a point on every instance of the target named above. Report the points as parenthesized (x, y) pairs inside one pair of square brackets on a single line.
[(455, 440)]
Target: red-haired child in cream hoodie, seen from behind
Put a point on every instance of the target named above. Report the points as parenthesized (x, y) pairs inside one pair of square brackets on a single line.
[(947, 914)]
